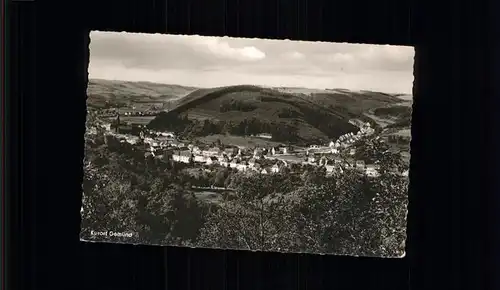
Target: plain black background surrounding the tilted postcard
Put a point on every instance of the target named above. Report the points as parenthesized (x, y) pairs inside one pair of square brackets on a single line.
[(452, 181)]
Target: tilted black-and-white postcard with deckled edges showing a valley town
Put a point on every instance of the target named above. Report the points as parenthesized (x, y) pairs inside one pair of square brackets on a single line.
[(247, 144)]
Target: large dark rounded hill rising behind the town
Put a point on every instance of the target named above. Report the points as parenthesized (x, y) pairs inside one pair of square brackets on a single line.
[(246, 109)]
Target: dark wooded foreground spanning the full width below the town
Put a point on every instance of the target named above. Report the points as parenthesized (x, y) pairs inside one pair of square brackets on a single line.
[(347, 213)]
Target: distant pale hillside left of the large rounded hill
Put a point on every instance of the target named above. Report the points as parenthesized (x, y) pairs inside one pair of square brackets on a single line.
[(123, 93)]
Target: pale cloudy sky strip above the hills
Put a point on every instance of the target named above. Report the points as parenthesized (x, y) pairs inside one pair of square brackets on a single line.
[(204, 61)]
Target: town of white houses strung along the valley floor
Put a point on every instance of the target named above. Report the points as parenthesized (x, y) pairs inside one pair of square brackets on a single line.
[(334, 157)]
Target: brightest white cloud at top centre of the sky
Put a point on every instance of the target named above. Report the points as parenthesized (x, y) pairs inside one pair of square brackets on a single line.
[(223, 49)]
